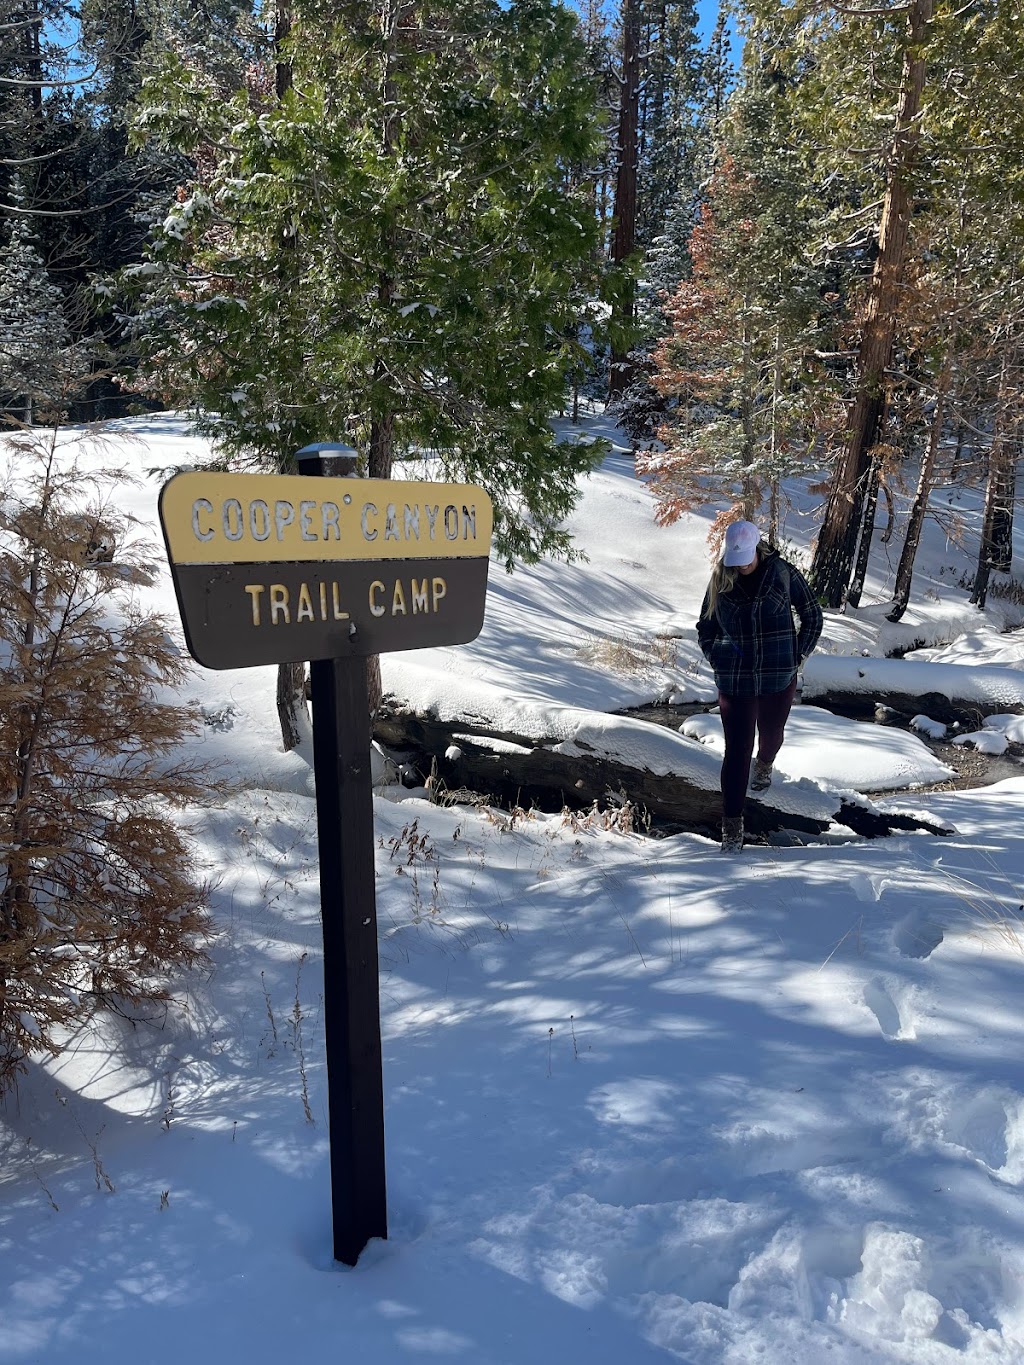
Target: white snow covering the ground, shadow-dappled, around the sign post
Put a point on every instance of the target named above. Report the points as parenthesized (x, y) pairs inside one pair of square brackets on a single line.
[(644, 1102)]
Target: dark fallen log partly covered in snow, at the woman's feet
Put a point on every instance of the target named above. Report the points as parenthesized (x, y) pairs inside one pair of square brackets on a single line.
[(511, 769)]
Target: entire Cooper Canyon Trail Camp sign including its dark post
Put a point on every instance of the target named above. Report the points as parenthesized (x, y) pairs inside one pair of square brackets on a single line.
[(291, 569)]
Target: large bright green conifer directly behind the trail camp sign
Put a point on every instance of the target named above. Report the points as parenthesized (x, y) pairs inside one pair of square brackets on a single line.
[(388, 250)]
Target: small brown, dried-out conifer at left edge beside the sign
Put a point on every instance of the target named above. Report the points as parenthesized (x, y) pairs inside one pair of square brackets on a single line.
[(98, 902)]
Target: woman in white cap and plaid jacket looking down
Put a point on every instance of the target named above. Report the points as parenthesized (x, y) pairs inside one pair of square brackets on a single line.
[(749, 637)]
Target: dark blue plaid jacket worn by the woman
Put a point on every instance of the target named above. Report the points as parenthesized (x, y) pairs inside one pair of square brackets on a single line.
[(753, 644)]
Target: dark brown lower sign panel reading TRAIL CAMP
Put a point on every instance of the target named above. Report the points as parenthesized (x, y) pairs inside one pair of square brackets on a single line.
[(242, 615)]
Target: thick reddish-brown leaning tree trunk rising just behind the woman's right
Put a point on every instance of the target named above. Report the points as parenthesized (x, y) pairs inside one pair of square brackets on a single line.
[(834, 558)]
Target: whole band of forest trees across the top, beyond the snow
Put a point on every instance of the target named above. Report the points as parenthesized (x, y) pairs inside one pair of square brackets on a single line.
[(782, 241)]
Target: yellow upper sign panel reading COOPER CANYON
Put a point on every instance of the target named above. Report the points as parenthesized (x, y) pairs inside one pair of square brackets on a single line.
[(271, 518)]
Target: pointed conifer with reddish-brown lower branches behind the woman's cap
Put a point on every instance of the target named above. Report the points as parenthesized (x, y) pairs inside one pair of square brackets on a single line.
[(742, 364)]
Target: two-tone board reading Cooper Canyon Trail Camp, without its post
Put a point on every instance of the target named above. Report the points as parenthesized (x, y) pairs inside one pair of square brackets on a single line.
[(271, 569)]
